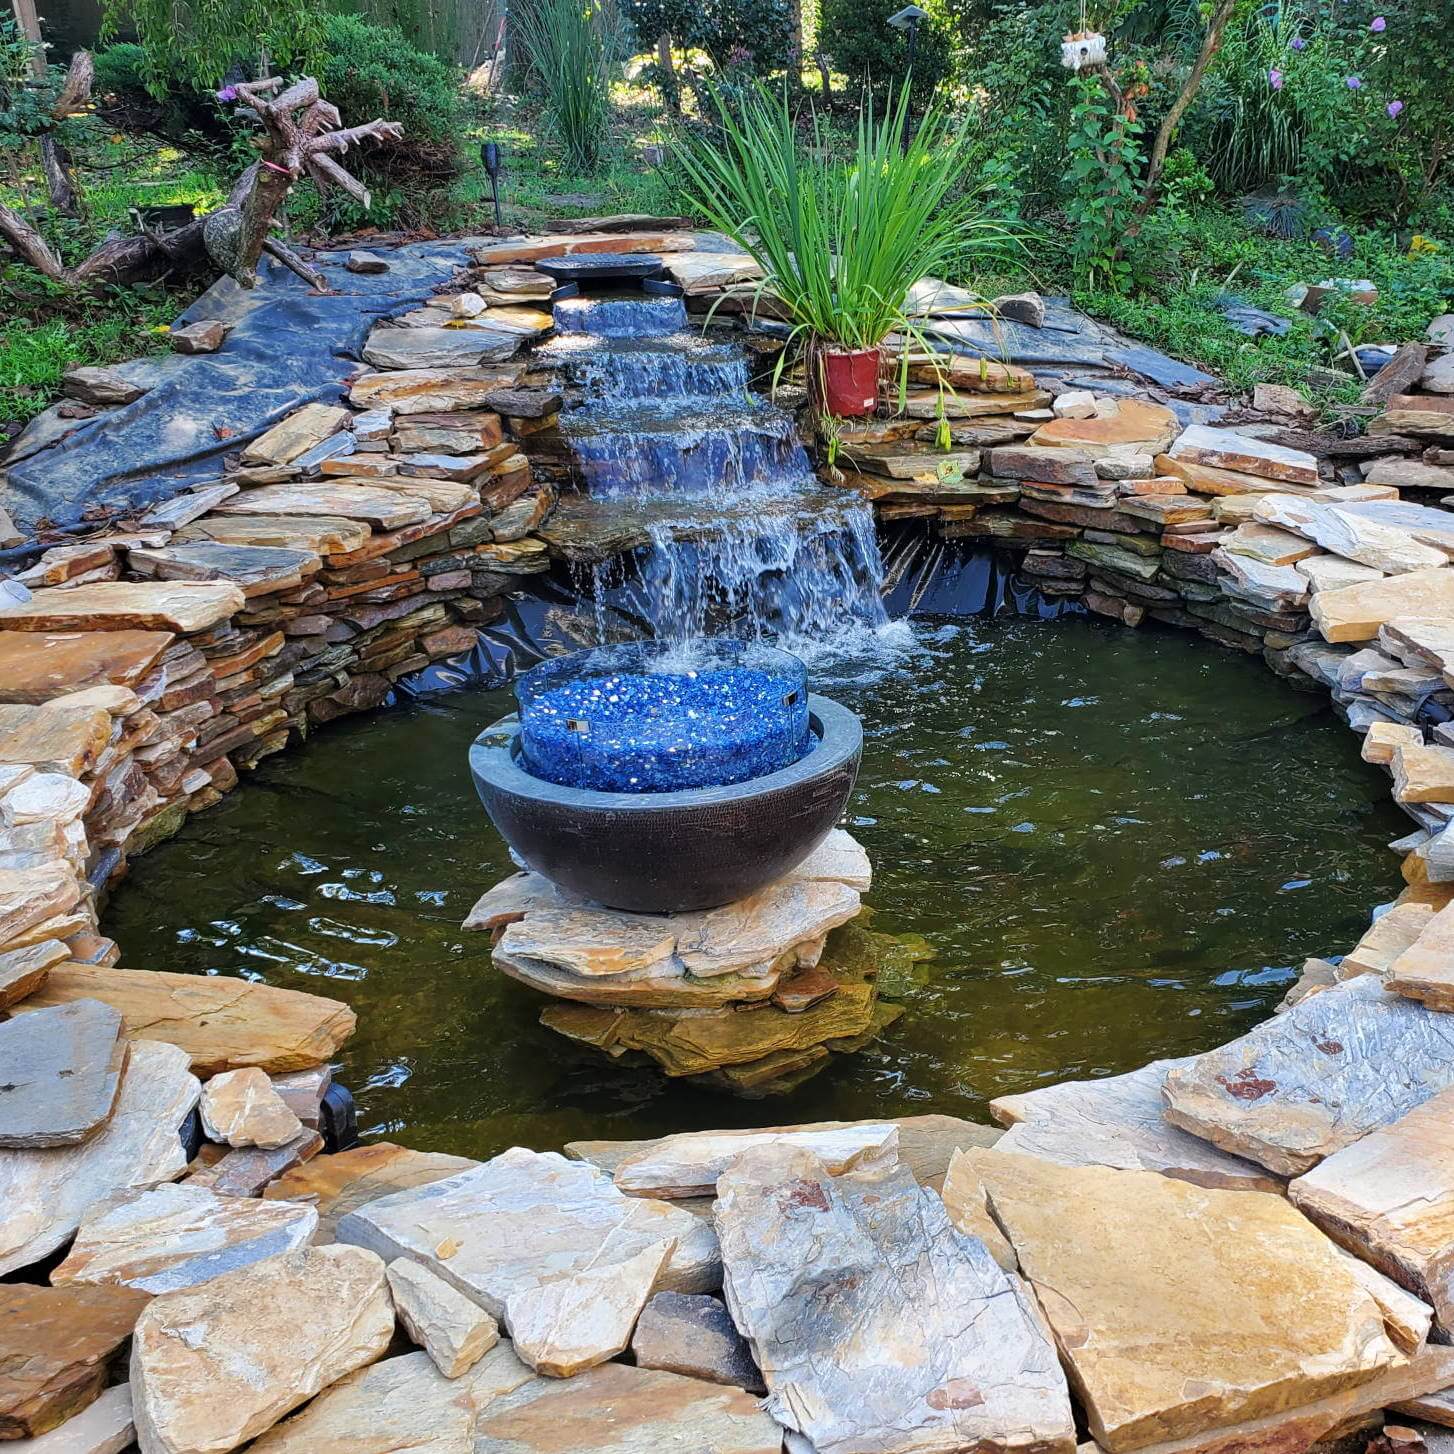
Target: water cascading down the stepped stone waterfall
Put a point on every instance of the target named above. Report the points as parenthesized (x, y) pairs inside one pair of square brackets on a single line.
[(744, 537)]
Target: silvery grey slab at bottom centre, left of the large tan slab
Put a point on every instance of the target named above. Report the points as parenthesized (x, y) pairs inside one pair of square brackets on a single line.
[(924, 1343)]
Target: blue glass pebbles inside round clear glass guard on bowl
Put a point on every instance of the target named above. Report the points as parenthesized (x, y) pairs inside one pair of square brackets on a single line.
[(648, 718)]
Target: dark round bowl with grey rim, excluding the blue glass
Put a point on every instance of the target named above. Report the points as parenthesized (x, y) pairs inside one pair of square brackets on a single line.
[(665, 853)]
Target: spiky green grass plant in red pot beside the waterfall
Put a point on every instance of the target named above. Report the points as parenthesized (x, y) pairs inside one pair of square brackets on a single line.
[(841, 241)]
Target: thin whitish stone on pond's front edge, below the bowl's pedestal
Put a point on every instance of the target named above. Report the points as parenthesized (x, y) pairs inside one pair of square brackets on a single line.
[(690, 1165)]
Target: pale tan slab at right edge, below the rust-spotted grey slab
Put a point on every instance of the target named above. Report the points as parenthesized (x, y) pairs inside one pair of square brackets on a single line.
[(1391, 1200)]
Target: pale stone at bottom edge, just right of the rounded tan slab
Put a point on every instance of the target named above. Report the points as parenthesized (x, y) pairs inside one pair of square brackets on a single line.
[(398, 1405)]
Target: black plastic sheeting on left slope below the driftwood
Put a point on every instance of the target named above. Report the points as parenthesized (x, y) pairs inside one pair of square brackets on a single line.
[(289, 347)]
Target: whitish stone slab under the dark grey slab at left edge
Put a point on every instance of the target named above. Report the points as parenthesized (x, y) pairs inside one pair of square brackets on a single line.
[(46, 1194)]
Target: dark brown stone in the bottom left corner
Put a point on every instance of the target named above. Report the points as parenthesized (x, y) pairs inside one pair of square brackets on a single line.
[(57, 1346)]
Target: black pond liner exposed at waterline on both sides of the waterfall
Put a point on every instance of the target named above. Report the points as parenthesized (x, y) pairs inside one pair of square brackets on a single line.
[(924, 577)]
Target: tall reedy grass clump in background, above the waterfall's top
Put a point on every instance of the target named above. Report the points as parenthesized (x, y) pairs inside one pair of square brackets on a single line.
[(574, 53)]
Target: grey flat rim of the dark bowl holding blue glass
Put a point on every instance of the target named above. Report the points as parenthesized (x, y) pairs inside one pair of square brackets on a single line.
[(838, 741)]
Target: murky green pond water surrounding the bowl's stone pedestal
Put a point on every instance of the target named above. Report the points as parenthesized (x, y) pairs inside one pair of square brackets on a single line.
[(1119, 844)]
